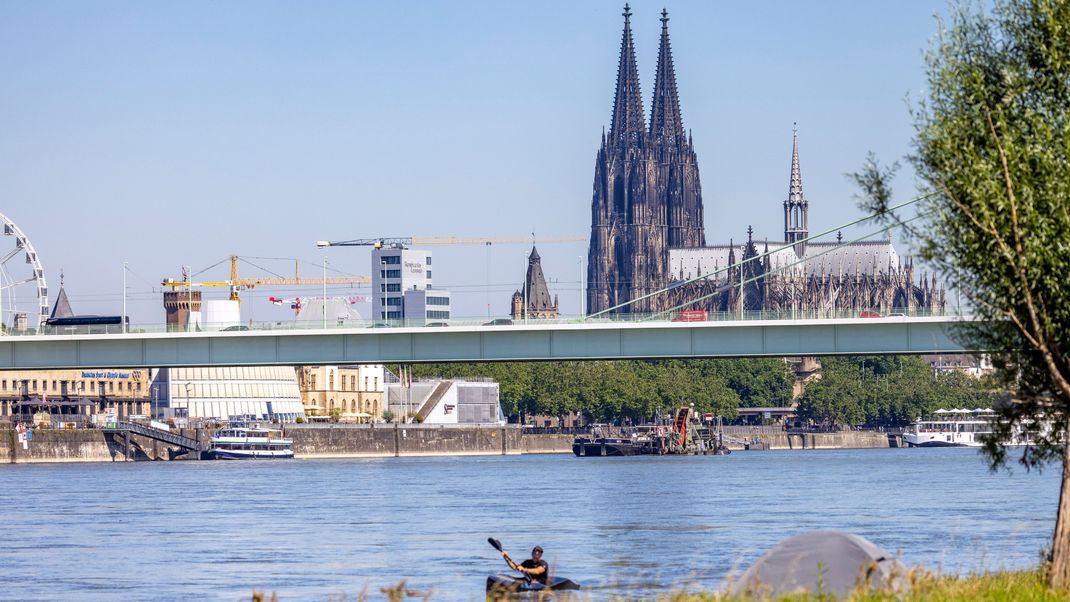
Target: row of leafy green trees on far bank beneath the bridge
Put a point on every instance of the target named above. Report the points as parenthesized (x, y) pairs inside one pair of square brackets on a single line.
[(863, 391)]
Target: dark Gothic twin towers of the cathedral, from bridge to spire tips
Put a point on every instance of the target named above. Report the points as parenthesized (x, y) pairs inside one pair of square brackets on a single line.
[(647, 193)]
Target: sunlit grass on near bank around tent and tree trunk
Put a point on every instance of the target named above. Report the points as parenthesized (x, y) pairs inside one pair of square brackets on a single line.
[(1020, 586)]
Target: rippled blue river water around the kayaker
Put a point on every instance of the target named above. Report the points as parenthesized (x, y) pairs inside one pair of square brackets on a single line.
[(325, 530)]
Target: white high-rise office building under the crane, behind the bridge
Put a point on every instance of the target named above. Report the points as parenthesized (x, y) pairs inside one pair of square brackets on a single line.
[(396, 274)]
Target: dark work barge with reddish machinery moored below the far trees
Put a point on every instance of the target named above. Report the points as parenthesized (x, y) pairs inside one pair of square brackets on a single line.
[(684, 436)]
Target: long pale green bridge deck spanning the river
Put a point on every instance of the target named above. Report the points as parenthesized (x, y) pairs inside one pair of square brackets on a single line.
[(539, 341)]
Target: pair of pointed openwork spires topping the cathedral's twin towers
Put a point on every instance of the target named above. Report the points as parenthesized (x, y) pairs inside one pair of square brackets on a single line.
[(629, 128)]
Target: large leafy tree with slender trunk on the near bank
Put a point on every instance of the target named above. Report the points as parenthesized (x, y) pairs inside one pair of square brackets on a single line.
[(992, 144)]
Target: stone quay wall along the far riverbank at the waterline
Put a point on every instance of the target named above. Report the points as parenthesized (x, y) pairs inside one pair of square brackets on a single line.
[(387, 441)]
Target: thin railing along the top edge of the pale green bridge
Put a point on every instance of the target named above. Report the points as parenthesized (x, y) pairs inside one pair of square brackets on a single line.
[(691, 317)]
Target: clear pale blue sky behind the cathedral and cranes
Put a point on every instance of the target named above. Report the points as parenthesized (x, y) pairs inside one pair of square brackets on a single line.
[(171, 134)]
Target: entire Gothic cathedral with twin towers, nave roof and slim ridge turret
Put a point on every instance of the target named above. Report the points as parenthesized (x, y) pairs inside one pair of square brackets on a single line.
[(648, 240)]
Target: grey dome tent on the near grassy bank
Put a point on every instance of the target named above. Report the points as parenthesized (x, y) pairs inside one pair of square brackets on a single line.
[(821, 562)]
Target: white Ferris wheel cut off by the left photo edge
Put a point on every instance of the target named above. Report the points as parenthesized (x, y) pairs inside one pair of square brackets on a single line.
[(24, 296)]
